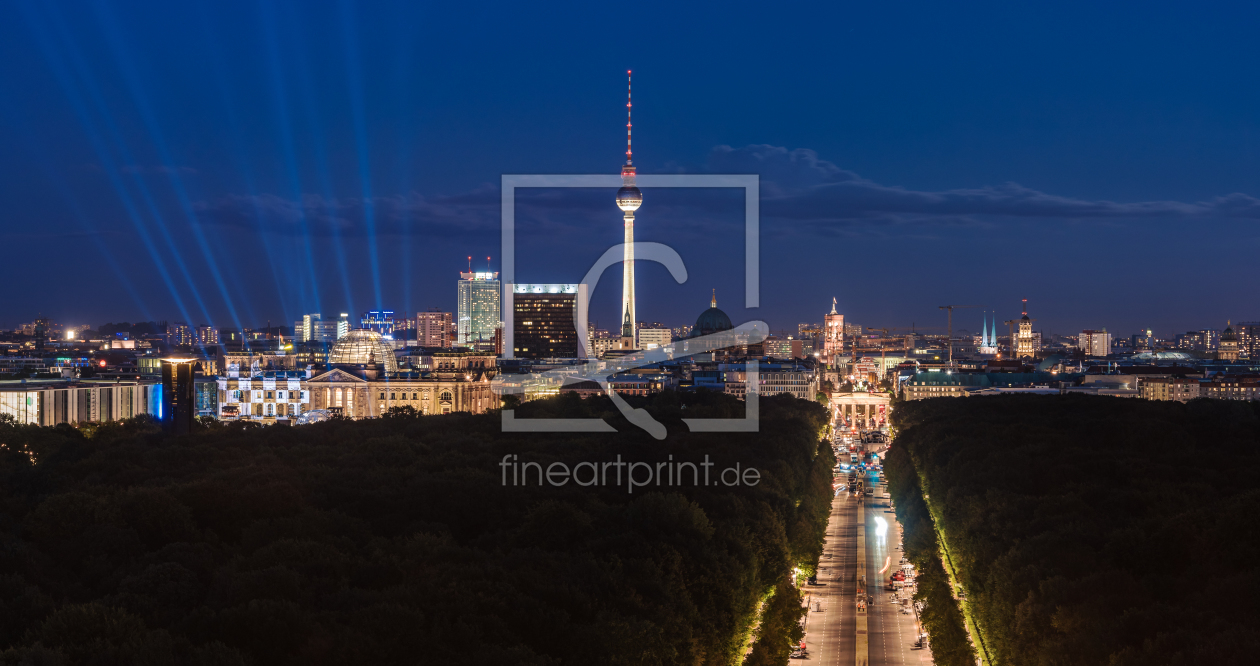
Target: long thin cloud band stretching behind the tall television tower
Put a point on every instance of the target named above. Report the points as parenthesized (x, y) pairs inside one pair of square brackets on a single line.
[(801, 193)]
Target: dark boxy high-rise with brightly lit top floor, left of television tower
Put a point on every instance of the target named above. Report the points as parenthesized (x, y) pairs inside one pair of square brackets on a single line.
[(544, 320)]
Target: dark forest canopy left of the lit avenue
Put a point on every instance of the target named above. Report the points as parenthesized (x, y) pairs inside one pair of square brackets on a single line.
[(395, 541)]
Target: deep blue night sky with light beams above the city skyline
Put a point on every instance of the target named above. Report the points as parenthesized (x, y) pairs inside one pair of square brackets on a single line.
[(232, 163)]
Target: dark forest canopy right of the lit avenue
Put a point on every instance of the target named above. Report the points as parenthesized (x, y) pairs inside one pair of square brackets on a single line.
[(1093, 529)]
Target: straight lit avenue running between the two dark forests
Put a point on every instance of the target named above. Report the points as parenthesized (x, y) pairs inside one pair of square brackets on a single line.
[(831, 633)]
